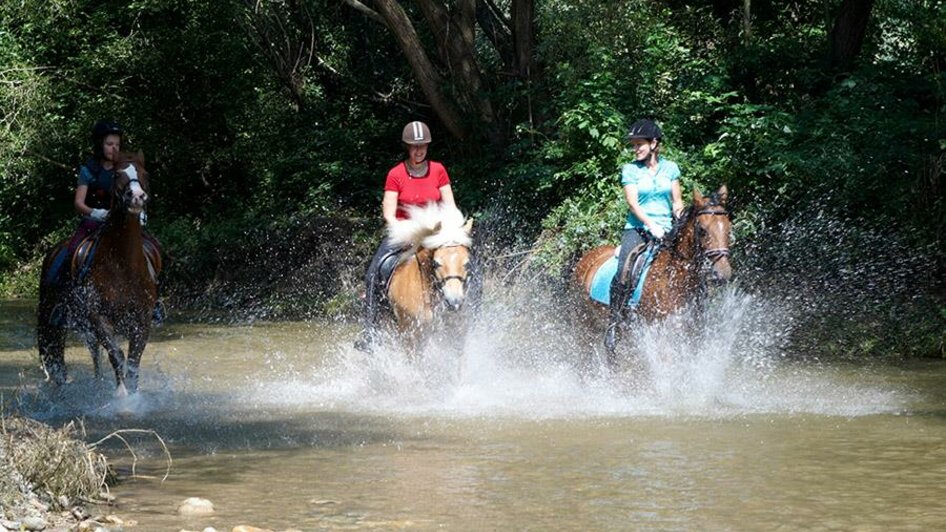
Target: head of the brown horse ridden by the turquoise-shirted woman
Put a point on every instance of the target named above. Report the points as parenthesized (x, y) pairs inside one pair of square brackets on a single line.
[(712, 224)]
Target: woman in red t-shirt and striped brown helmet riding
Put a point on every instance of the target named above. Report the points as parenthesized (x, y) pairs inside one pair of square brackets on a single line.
[(414, 181)]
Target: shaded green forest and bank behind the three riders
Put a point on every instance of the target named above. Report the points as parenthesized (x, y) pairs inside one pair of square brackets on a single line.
[(269, 125)]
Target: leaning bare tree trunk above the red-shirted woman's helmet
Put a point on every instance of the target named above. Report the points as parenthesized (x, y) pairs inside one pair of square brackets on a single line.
[(424, 72)]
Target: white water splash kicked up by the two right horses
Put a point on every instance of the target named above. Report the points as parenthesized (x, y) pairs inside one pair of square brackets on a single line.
[(523, 359)]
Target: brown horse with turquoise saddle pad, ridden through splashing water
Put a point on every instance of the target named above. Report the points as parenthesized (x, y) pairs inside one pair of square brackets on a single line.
[(676, 274)]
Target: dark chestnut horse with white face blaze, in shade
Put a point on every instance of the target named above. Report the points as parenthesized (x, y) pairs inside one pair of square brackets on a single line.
[(113, 288)]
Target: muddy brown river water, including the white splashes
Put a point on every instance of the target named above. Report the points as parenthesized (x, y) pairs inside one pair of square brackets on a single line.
[(283, 425)]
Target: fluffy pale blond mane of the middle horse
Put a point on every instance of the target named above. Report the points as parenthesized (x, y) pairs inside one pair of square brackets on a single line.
[(430, 227)]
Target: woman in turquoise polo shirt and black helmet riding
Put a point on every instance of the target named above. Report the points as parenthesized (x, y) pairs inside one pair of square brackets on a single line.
[(652, 191)]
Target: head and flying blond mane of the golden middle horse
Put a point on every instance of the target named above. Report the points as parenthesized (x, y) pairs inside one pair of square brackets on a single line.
[(444, 235)]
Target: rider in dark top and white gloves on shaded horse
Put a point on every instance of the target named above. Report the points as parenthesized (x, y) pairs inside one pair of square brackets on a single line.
[(93, 197)]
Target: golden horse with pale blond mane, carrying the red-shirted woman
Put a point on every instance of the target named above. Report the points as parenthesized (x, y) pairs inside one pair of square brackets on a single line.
[(432, 273)]
